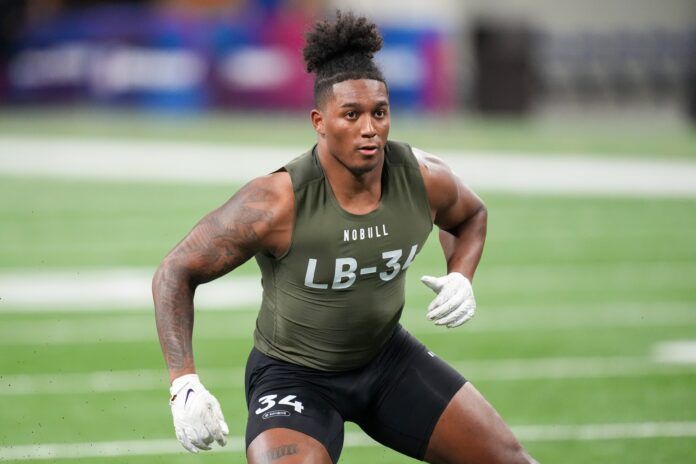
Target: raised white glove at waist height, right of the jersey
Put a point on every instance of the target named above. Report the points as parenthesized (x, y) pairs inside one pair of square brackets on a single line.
[(454, 303)]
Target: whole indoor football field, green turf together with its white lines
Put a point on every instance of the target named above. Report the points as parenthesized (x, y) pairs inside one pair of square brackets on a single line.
[(584, 338)]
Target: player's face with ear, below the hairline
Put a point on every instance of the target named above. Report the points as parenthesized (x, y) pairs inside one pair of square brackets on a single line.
[(354, 122)]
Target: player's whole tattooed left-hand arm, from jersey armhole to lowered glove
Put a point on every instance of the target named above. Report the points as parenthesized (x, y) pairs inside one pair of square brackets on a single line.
[(258, 217)]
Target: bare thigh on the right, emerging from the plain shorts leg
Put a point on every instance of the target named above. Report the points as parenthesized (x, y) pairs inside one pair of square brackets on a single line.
[(471, 431)]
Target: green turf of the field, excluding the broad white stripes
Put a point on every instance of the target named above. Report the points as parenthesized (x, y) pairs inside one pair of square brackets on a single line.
[(574, 295)]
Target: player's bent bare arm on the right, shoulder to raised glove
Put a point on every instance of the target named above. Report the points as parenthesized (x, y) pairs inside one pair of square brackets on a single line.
[(458, 212)]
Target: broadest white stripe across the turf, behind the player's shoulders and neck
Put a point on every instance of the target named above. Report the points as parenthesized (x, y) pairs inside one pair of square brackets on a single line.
[(129, 160)]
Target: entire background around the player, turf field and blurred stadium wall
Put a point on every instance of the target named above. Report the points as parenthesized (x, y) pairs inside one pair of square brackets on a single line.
[(122, 123)]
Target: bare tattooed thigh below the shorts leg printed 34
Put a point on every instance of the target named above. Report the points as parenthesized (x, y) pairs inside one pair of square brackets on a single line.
[(288, 447)]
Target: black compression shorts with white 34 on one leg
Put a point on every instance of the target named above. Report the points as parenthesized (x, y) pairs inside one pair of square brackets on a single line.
[(397, 398)]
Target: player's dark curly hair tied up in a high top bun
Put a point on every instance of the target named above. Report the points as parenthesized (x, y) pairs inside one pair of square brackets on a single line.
[(342, 50)]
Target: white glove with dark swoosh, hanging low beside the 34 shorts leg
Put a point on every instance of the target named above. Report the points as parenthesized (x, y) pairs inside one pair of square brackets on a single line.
[(197, 415)]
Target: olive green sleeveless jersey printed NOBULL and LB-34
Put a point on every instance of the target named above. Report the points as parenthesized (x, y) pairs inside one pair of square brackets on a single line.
[(334, 298)]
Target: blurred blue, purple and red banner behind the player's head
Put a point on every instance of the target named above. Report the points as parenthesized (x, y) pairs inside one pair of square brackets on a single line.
[(130, 55)]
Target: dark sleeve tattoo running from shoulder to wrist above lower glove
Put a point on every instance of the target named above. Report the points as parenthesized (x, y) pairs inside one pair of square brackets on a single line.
[(221, 241)]
